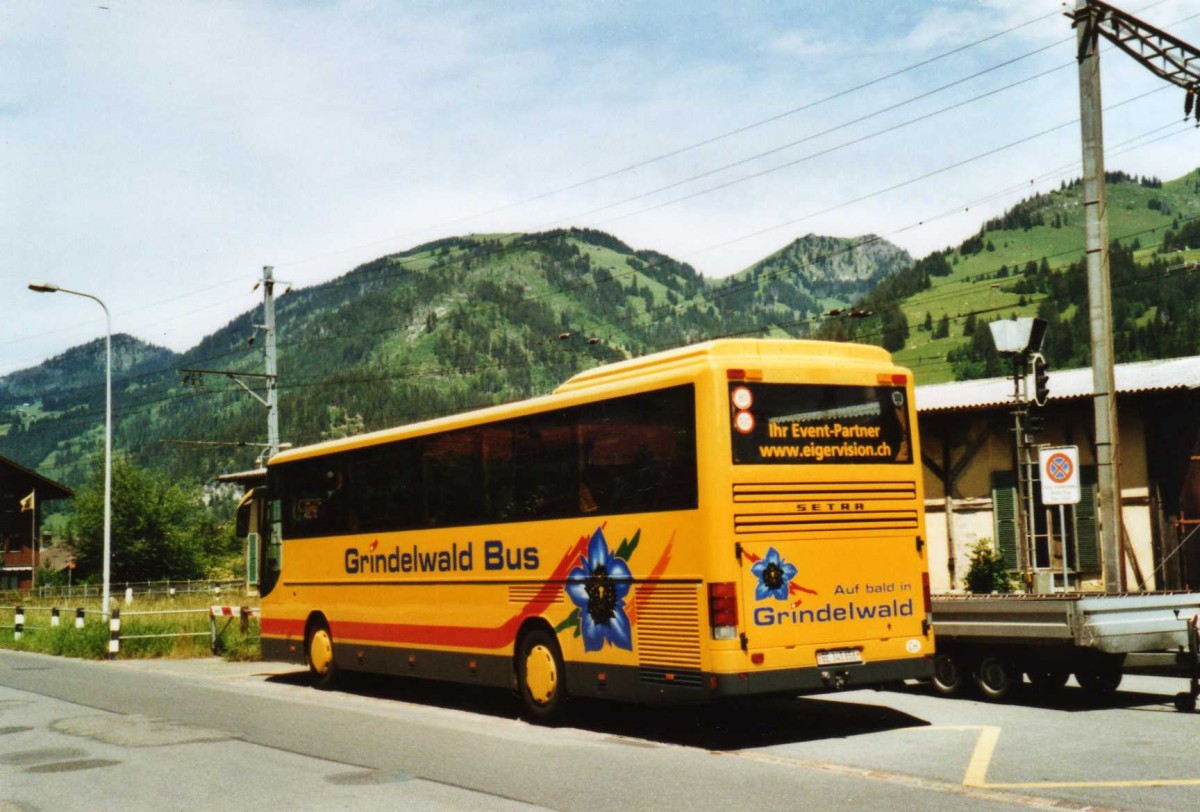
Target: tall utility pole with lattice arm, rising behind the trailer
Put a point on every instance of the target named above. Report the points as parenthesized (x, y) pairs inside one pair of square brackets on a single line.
[(1168, 58)]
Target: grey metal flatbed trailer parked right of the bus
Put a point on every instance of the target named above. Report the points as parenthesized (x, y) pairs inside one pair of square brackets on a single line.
[(992, 641)]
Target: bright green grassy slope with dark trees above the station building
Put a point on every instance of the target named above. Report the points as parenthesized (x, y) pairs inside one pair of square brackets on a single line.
[(1029, 263)]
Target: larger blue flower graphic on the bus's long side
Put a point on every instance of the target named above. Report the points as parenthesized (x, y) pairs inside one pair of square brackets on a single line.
[(599, 587)]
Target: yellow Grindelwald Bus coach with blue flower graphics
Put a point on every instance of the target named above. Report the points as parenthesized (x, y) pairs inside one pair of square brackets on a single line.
[(730, 519)]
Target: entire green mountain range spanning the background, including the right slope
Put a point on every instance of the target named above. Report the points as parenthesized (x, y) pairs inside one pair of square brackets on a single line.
[(481, 320)]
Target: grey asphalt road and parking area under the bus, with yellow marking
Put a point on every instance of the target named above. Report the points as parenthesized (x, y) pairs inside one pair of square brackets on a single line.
[(213, 736)]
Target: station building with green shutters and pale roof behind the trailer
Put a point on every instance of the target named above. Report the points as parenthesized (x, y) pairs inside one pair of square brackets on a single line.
[(970, 456)]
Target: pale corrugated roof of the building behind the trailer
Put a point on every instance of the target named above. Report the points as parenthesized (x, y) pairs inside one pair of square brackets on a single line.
[(1065, 384)]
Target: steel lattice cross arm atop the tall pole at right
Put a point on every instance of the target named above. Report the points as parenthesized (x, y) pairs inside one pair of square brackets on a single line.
[(1171, 58)]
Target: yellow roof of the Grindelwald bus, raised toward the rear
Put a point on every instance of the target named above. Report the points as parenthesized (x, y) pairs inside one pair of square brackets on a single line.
[(721, 351)]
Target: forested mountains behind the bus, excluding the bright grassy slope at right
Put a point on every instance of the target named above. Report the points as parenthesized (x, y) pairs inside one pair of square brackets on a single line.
[(446, 327)]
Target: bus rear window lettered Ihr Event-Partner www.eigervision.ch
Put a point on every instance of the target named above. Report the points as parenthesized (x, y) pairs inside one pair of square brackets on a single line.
[(819, 424)]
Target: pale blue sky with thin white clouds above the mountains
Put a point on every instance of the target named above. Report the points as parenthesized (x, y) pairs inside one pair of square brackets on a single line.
[(158, 155)]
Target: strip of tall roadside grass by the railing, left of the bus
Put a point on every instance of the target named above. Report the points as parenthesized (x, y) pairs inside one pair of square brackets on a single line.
[(151, 628)]
